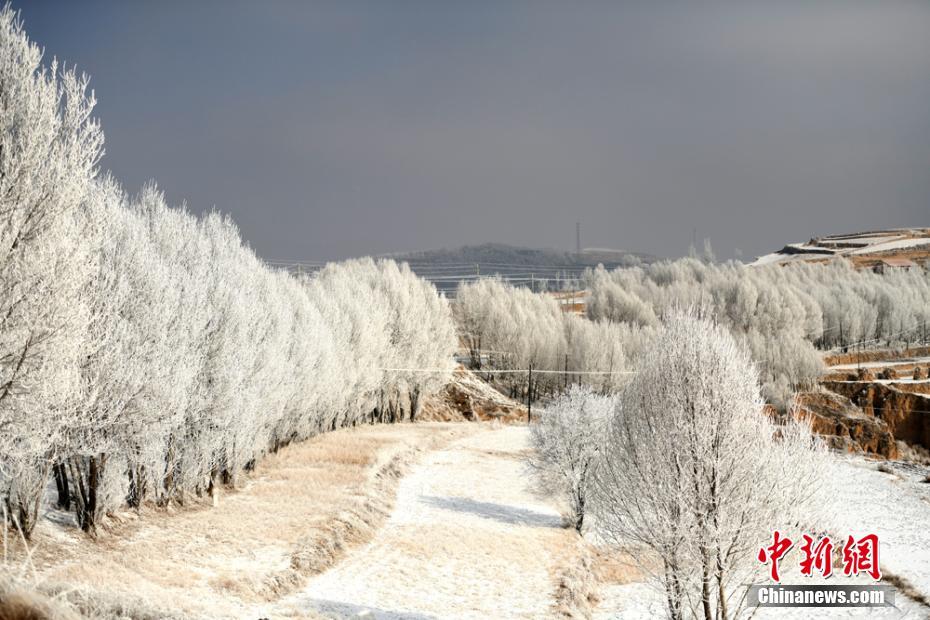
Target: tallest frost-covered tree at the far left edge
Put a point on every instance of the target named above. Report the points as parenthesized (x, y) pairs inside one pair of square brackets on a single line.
[(49, 148)]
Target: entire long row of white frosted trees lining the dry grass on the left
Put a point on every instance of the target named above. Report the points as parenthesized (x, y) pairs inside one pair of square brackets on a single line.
[(147, 354)]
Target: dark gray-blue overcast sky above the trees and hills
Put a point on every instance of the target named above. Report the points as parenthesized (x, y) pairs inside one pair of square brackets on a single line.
[(335, 129)]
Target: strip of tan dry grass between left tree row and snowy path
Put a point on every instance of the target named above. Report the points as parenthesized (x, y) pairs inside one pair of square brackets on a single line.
[(295, 515)]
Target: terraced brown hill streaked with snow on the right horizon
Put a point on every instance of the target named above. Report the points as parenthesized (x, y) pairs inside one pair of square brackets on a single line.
[(869, 249)]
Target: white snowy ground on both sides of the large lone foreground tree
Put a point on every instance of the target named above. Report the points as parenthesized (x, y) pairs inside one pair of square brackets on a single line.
[(468, 539)]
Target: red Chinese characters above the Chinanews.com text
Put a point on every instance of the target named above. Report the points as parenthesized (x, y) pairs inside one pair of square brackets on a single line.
[(859, 556)]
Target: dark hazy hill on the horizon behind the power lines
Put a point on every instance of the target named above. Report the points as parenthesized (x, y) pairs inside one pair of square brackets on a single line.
[(540, 269)]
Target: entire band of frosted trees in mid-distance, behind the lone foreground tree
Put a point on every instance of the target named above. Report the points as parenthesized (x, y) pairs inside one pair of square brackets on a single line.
[(784, 315)]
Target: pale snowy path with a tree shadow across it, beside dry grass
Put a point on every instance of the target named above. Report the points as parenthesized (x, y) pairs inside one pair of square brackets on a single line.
[(467, 539)]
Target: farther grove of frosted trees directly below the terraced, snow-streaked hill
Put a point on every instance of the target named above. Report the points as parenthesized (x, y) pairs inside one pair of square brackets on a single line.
[(783, 314)]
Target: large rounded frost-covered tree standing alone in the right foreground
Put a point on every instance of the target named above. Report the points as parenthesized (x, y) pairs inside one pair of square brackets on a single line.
[(696, 475)]
